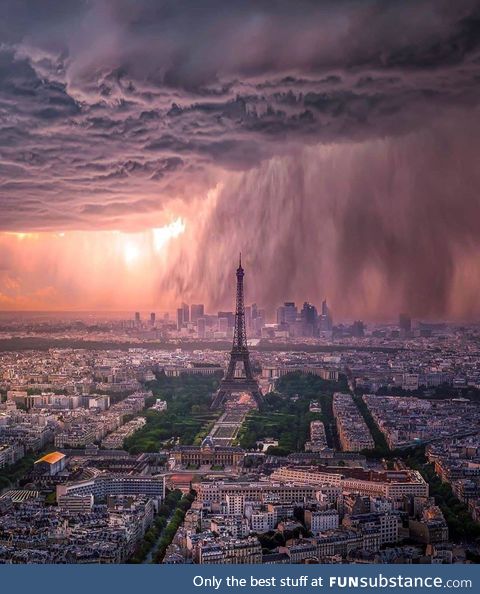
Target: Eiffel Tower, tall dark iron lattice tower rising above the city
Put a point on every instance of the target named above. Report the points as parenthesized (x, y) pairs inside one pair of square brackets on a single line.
[(231, 383)]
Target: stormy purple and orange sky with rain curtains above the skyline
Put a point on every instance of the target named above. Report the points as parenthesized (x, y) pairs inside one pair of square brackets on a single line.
[(334, 143)]
